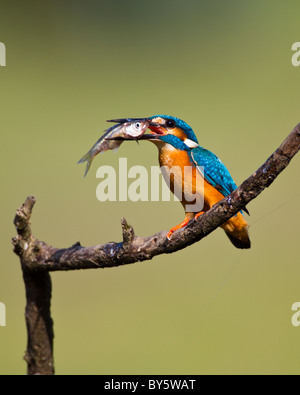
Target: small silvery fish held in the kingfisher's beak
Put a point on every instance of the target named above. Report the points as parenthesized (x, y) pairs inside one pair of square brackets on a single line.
[(113, 138)]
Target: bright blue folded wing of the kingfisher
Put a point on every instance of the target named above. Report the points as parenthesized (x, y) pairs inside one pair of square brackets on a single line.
[(214, 171)]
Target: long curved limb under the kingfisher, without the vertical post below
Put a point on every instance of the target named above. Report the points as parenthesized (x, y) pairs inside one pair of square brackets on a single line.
[(134, 248)]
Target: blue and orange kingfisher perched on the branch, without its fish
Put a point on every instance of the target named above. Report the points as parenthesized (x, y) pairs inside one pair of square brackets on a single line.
[(207, 182)]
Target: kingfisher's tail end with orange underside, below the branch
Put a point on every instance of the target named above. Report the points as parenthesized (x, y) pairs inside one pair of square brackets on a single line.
[(237, 231)]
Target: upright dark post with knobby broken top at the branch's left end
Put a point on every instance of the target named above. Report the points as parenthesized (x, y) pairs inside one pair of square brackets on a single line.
[(39, 354)]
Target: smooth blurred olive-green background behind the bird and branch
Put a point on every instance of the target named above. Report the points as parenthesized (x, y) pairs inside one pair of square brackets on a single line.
[(223, 67)]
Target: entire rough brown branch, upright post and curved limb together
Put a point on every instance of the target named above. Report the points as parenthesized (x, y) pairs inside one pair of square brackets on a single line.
[(38, 258)]
